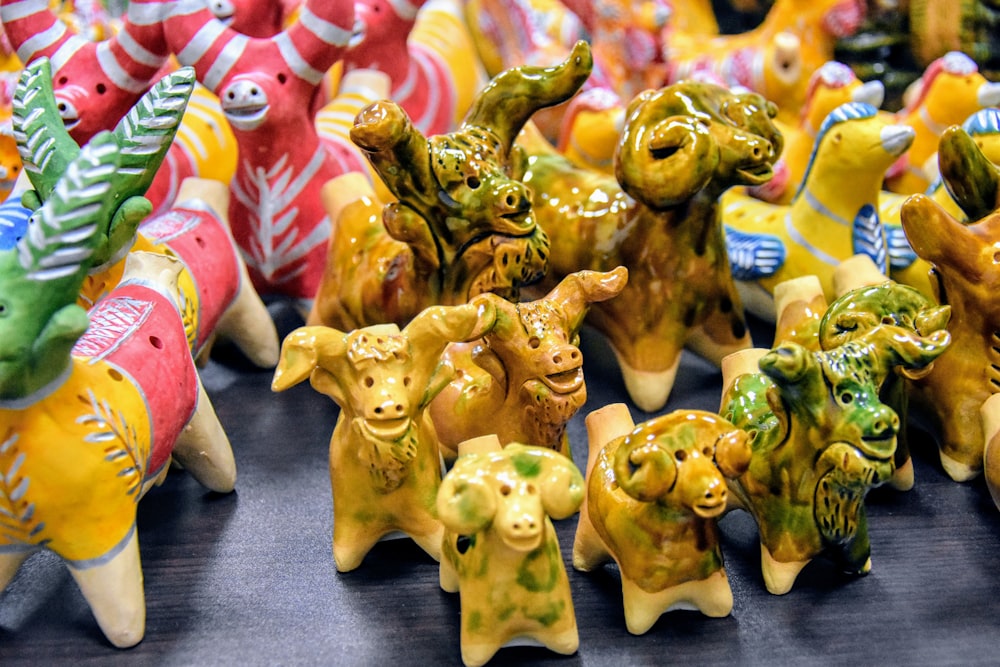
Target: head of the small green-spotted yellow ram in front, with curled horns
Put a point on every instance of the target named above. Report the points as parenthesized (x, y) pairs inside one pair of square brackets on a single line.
[(509, 492)]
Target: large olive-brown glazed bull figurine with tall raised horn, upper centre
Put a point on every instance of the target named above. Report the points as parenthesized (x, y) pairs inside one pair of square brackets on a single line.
[(462, 224)]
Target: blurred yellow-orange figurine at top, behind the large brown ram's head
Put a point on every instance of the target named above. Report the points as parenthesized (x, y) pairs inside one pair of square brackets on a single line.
[(775, 59)]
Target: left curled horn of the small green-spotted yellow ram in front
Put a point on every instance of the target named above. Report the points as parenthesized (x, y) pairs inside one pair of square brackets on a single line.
[(465, 503)]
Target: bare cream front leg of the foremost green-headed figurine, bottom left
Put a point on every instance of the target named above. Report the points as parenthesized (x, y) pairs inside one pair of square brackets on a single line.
[(115, 594)]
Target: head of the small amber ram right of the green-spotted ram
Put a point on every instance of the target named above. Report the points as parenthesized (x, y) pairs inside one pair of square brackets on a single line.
[(681, 460)]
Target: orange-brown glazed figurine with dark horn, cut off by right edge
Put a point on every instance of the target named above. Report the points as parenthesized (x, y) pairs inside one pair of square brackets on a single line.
[(964, 259)]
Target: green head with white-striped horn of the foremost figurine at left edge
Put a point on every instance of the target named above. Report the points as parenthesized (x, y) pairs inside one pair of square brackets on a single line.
[(42, 275)]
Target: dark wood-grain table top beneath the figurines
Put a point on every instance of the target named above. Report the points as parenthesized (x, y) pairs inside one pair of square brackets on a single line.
[(248, 578)]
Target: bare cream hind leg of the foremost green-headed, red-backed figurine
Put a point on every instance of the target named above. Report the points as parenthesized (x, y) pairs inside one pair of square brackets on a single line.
[(203, 448)]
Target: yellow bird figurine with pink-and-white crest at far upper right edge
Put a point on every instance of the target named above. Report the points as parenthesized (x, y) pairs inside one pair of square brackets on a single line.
[(950, 90)]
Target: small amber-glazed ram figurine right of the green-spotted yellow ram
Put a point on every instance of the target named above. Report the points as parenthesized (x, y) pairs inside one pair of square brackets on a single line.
[(654, 492)]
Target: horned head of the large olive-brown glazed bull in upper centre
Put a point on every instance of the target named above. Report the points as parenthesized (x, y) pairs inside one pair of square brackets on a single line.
[(462, 202)]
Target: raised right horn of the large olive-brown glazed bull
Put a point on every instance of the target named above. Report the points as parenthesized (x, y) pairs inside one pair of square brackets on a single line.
[(510, 99)]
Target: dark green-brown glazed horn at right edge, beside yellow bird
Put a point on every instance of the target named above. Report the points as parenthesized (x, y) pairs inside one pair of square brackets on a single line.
[(972, 180)]
